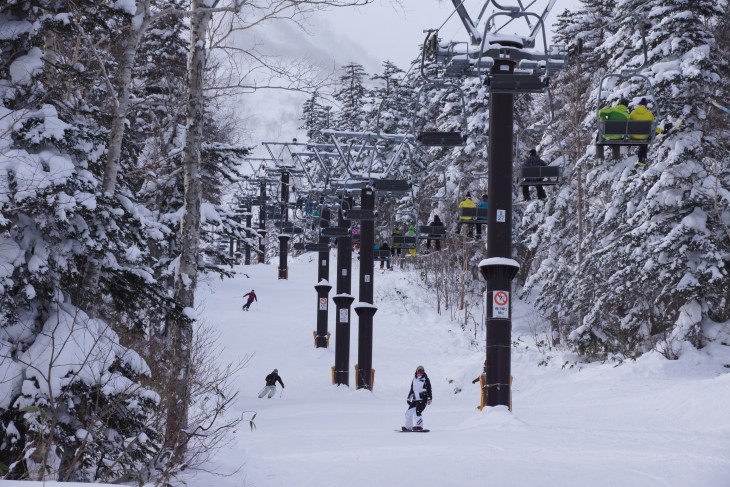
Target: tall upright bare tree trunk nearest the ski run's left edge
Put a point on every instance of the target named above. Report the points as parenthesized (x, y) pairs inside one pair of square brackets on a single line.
[(181, 334)]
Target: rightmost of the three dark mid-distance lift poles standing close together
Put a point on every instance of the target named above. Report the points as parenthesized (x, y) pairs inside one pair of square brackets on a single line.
[(366, 310)]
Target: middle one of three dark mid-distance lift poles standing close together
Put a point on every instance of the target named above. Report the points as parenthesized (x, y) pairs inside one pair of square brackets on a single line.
[(343, 300)]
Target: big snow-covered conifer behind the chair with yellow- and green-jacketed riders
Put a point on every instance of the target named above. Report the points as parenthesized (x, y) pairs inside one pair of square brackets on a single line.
[(654, 266)]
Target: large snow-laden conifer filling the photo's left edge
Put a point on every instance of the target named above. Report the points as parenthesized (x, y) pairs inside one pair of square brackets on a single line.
[(52, 218)]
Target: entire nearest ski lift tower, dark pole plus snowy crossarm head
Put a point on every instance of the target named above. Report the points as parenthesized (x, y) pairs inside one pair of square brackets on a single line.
[(509, 65)]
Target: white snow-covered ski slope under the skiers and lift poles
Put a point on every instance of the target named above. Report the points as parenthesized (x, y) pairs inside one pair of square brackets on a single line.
[(652, 422)]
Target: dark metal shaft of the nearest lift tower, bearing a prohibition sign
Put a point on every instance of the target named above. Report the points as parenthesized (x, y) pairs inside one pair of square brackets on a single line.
[(499, 268)]
